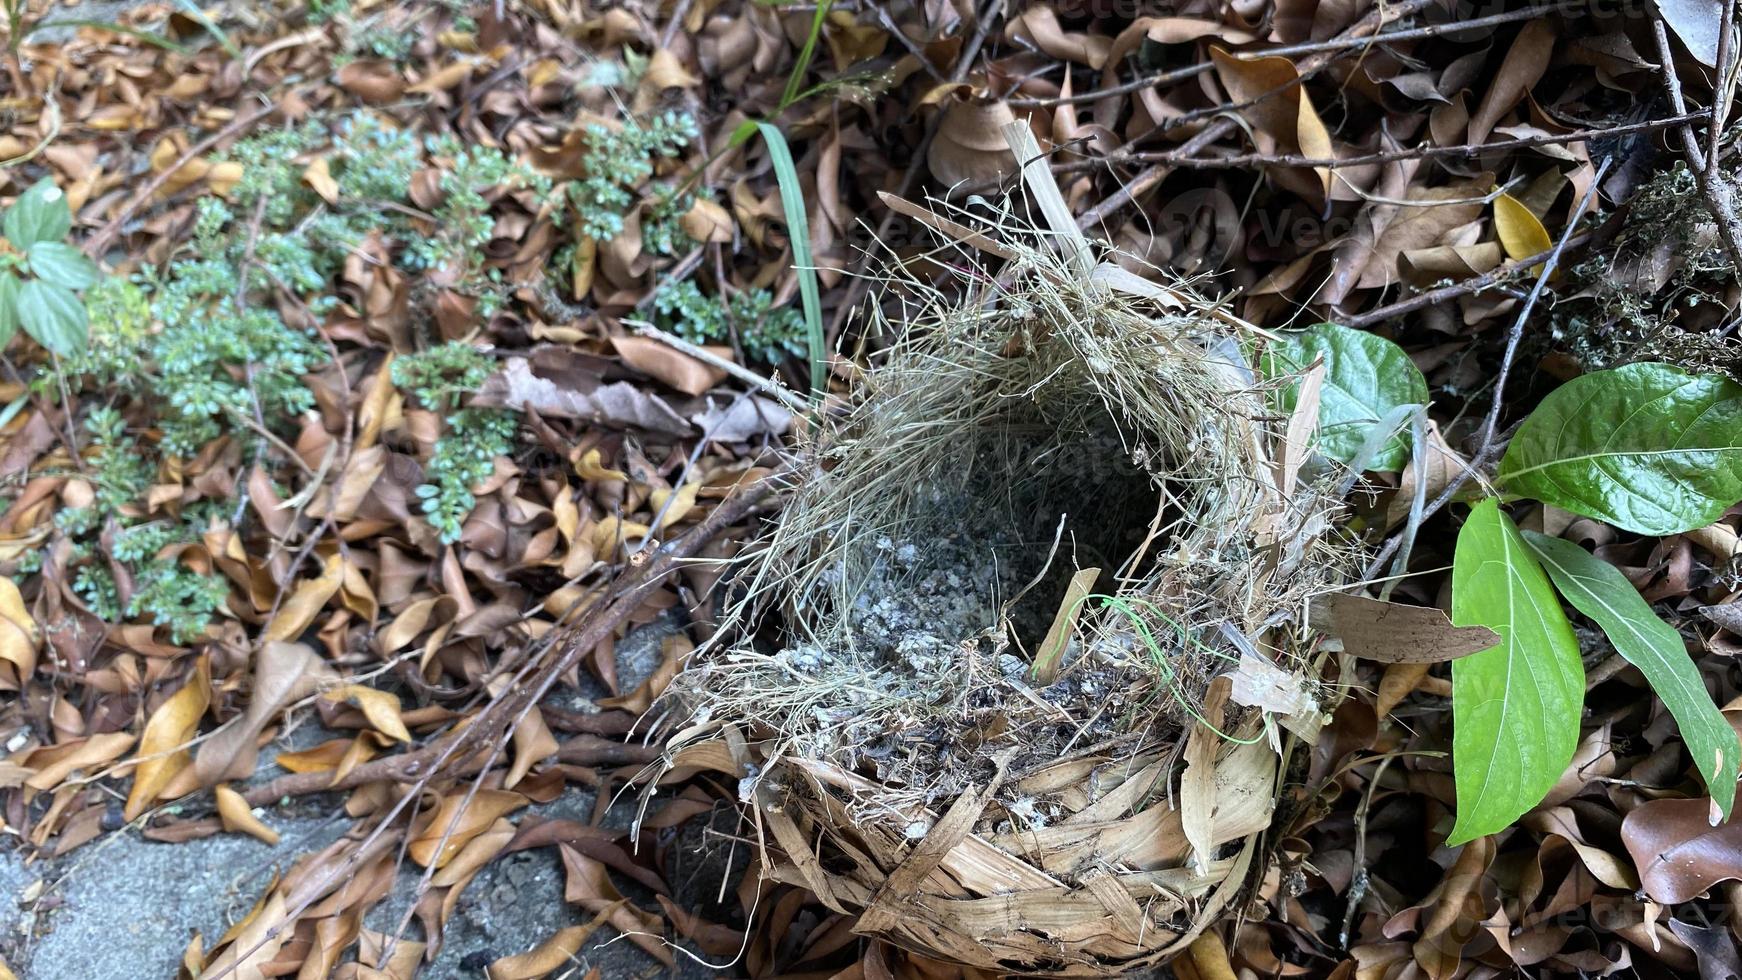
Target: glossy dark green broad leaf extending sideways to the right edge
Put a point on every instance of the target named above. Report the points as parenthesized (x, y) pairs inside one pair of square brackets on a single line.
[(1647, 448)]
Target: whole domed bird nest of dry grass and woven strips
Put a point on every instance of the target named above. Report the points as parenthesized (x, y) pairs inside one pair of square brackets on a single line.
[(1079, 782)]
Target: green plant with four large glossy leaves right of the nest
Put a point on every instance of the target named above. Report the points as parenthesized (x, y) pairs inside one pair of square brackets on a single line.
[(1645, 448)]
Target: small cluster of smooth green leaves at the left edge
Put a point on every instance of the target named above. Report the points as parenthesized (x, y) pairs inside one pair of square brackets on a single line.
[(41, 274)]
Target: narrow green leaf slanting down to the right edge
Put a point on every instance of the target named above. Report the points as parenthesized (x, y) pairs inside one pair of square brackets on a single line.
[(1600, 591)]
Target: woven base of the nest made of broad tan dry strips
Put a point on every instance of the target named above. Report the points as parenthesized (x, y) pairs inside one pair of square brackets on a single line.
[(1100, 894)]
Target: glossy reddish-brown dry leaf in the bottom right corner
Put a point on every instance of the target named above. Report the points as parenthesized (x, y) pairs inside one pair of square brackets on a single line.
[(1678, 852)]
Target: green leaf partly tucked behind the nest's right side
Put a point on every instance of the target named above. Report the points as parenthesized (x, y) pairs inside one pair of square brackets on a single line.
[(1365, 379)]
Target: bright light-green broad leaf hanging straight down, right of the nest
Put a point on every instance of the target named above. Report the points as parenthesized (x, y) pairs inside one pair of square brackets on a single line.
[(1516, 704)]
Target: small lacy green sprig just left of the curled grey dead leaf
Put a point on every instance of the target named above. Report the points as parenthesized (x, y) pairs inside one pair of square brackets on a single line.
[(473, 438)]
